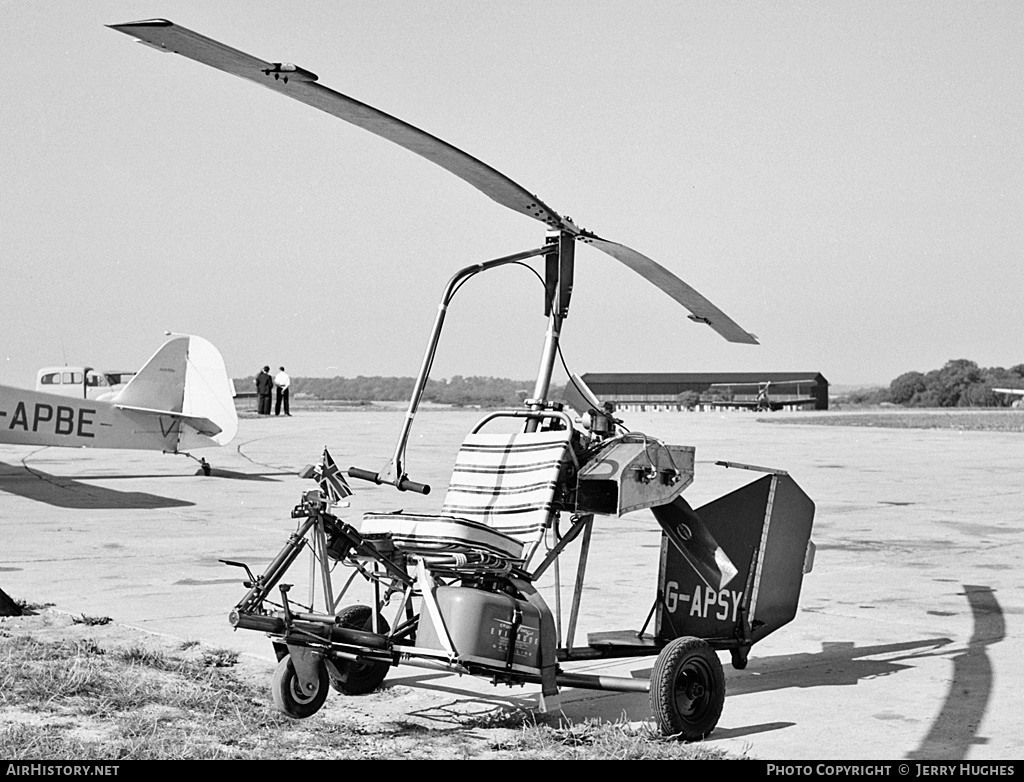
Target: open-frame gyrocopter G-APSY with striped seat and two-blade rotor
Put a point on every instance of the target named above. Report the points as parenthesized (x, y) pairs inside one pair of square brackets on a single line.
[(459, 591)]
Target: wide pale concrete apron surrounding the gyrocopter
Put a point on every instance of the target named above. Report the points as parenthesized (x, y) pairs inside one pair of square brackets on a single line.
[(903, 648)]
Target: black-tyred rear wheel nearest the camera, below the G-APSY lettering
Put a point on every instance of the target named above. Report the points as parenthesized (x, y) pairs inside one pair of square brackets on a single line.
[(688, 689)]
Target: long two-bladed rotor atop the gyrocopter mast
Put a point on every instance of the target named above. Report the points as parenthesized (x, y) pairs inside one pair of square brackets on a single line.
[(302, 85)]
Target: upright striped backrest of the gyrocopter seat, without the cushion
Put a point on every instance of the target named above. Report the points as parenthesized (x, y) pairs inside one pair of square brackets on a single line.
[(508, 483)]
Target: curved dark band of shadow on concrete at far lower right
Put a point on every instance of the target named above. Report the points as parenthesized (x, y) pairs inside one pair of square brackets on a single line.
[(956, 728)]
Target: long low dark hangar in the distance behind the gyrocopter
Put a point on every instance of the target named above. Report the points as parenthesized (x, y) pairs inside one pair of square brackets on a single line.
[(675, 392)]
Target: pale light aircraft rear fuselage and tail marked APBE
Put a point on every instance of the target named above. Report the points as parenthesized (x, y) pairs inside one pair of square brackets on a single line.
[(181, 401)]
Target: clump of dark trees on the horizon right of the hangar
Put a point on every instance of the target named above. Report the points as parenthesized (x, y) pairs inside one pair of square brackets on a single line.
[(961, 383)]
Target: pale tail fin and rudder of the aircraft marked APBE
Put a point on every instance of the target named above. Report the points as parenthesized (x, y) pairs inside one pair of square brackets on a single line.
[(188, 378)]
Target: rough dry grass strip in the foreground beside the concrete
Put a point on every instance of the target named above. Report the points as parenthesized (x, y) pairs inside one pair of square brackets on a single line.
[(87, 700)]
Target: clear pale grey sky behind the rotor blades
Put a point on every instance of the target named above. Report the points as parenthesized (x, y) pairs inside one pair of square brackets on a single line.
[(842, 179)]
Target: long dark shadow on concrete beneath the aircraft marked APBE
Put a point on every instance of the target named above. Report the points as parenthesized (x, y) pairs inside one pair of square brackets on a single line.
[(69, 493)]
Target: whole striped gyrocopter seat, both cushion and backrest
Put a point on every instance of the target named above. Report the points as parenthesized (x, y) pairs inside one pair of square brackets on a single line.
[(499, 502)]
